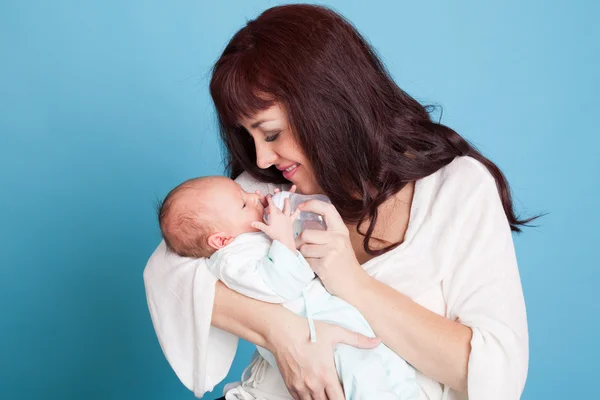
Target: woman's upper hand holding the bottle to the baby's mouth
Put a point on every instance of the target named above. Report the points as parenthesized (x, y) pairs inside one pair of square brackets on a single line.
[(330, 252)]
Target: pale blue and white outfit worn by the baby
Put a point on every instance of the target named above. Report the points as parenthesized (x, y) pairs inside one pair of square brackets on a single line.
[(256, 267)]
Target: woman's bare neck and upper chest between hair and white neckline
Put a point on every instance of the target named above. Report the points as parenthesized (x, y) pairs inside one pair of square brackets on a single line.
[(392, 223)]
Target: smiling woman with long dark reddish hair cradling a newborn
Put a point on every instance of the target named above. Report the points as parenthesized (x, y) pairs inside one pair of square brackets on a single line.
[(419, 240)]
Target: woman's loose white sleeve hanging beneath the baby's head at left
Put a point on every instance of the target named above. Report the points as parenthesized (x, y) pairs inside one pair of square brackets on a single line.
[(180, 294)]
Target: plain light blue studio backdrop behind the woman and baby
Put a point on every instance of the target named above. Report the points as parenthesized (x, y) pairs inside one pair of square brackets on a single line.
[(104, 107)]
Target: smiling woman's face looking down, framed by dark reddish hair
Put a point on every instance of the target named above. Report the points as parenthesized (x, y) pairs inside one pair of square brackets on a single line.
[(276, 145)]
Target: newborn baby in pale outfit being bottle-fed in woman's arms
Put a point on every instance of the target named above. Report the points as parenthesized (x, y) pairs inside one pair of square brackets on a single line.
[(213, 217)]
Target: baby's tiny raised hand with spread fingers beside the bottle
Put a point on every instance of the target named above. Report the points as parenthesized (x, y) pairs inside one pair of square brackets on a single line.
[(280, 225)]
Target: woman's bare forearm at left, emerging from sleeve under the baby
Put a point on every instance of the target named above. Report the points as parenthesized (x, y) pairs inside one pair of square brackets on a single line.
[(247, 318)]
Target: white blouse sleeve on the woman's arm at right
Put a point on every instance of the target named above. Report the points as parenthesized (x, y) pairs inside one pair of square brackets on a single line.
[(484, 292)]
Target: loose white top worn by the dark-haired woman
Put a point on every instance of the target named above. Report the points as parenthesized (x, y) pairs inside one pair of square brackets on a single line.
[(457, 260)]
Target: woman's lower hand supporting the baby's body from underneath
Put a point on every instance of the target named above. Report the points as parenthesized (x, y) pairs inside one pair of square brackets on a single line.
[(308, 369)]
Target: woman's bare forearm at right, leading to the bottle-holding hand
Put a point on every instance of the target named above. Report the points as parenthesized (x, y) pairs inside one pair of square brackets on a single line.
[(436, 346)]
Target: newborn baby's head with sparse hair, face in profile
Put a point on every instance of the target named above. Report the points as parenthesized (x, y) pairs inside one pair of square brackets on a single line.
[(202, 215)]
